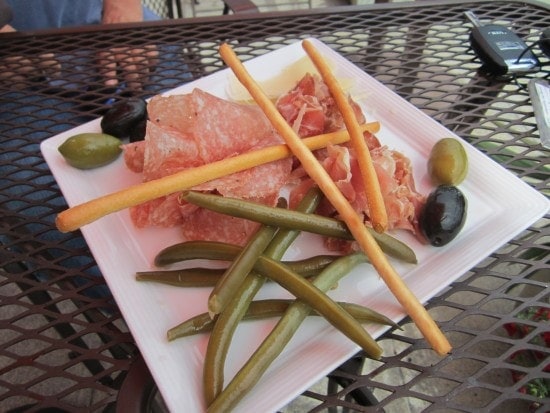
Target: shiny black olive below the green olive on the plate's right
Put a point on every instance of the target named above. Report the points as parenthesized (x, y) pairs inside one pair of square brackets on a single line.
[(444, 215)]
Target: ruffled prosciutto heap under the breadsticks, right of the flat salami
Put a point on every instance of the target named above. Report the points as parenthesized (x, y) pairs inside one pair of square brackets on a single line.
[(310, 109)]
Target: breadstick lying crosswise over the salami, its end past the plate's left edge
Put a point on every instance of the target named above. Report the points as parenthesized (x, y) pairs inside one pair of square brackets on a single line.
[(82, 214)]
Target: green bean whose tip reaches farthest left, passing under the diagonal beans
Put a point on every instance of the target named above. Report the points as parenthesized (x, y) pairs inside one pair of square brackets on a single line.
[(208, 277)]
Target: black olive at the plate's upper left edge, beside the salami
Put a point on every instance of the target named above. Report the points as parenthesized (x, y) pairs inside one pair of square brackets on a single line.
[(126, 118)]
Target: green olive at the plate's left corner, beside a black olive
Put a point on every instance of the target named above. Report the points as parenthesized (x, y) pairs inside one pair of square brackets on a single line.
[(90, 150)]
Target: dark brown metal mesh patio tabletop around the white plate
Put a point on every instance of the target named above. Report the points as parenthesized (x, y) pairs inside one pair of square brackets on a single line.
[(64, 343)]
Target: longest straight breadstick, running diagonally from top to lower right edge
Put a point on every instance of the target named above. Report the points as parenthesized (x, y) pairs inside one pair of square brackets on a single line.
[(413, 307)]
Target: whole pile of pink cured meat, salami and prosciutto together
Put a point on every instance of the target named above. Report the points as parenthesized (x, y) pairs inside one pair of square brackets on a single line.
[(191, 130)]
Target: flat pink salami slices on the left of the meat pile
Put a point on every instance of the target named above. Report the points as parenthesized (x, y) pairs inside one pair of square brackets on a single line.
[(186, 131)]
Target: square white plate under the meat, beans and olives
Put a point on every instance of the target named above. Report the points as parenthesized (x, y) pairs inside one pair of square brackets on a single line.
[(500, 206)]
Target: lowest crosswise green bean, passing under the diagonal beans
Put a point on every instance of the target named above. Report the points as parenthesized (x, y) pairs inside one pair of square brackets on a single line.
[(262, 309)]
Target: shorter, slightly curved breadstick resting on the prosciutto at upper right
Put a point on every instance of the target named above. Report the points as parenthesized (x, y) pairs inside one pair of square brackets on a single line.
[(375, 200)]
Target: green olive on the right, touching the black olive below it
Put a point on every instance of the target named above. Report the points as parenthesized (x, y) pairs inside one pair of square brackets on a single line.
[(448, 162)]
